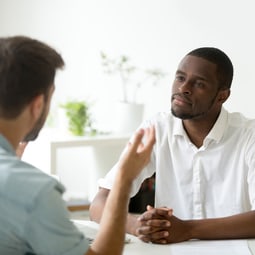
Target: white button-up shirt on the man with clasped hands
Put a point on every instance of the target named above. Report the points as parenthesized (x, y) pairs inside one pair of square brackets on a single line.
[(215, 180)]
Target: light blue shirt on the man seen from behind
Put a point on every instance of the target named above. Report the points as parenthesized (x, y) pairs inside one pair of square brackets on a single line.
[(33, 215)]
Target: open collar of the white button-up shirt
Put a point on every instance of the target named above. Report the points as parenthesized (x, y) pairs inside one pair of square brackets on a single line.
[(216, 132)]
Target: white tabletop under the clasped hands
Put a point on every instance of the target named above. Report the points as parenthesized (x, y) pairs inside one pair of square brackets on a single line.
[(137, 247)]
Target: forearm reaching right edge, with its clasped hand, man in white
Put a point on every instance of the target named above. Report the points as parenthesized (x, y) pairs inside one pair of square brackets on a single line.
[(233, 227)]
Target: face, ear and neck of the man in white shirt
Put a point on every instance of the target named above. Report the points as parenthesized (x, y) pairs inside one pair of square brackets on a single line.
[(197, 97)]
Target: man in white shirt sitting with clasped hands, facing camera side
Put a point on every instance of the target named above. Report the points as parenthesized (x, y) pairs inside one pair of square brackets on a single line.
[(204, 160)]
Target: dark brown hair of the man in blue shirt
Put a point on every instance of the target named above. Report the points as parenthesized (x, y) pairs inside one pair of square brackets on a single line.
[(27, 69)]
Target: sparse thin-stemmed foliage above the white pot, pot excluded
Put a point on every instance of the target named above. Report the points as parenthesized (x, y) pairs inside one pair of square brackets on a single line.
[(132, 78)]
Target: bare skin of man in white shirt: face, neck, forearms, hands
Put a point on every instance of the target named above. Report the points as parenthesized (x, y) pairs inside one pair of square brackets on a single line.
[(197, 98)]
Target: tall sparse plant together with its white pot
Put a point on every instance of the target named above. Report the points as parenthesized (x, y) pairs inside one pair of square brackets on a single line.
[(132, 79)]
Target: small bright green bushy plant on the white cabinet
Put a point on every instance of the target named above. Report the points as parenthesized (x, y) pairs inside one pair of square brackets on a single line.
[(79, 119)]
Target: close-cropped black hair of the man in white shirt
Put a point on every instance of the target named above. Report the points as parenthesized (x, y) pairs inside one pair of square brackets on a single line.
[(224, 65)]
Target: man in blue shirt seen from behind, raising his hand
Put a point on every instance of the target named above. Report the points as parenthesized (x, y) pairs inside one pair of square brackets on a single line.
[(34, 218)]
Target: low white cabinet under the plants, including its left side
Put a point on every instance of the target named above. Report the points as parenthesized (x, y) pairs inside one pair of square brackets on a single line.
[(78, 161)]
